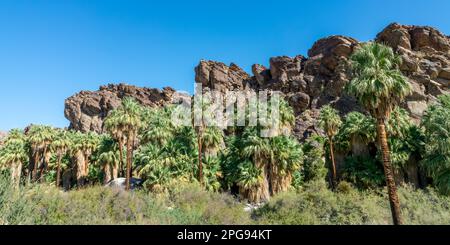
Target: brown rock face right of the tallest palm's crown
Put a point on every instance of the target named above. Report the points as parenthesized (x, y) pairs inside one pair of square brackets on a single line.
[(426, 61)]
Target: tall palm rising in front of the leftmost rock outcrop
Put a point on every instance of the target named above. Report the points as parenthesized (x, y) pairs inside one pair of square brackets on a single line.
[(125, 123)]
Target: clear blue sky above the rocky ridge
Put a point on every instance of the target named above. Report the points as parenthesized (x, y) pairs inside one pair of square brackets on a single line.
[(50, 50)]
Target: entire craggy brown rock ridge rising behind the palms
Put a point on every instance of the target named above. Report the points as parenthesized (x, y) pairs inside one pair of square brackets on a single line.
[(308, 82)]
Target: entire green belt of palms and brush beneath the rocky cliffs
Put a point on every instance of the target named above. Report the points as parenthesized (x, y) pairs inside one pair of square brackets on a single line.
[(347, 173)]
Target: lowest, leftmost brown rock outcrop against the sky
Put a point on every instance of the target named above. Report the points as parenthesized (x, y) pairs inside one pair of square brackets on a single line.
[(87, 110)]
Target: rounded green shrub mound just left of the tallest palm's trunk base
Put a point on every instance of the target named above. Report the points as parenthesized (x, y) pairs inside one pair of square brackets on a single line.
[(316, 204)]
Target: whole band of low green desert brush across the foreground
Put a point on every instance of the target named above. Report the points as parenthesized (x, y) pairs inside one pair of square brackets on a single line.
[(186, 203)]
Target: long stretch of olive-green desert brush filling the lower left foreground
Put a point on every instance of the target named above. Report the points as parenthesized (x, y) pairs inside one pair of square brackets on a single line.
[(183, 204)]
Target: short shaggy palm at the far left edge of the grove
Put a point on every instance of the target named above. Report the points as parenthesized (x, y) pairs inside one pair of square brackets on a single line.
[(13, 154)]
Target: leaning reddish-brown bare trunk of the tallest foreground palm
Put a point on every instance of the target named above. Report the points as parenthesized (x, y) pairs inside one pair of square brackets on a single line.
[(390, 182)]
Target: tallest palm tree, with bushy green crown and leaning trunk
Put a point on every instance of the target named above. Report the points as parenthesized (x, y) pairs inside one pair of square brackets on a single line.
[(379, 86)]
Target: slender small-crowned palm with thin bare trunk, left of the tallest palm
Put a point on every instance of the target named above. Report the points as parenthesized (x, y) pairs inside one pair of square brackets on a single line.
[(330, 122)]
